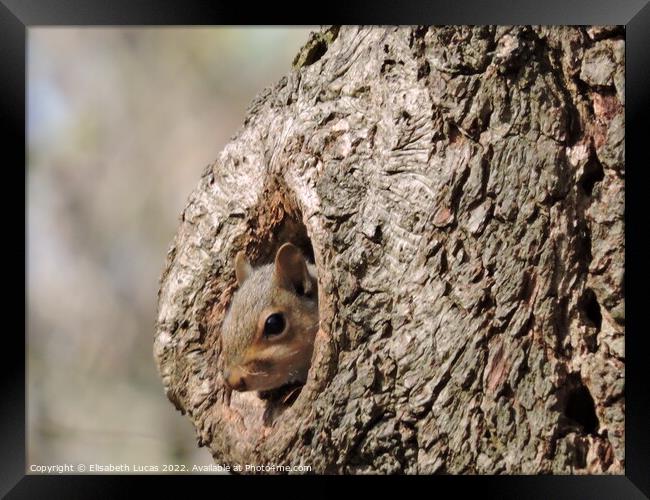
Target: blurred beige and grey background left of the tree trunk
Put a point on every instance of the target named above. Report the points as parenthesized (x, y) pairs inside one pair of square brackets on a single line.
[(121, 122)]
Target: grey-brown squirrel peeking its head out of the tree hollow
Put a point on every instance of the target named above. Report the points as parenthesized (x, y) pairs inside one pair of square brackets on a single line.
[(269, 329)]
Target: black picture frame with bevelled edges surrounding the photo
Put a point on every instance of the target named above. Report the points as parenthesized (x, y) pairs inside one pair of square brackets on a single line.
[(16, 16)]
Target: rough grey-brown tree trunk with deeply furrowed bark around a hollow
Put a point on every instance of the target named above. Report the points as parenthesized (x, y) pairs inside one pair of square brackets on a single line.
[(462, 192)]
